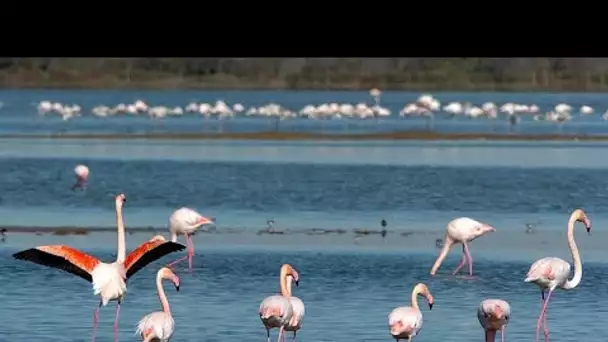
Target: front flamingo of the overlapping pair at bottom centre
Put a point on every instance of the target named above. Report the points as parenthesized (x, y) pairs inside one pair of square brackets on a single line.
[(277, 311)]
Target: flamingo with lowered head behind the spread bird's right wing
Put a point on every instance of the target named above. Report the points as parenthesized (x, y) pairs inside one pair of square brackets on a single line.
[(185, 221)]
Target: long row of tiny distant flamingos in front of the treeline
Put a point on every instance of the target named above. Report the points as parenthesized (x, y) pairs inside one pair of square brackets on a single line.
[(425, 106)]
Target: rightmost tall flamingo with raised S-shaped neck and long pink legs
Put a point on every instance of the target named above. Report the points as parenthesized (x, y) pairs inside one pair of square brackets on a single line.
[(551, 273)]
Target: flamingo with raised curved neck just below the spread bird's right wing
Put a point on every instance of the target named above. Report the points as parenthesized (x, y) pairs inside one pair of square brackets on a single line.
[(159, 325)]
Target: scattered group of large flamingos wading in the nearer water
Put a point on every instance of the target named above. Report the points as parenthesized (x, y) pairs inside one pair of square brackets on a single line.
[(284, 311)]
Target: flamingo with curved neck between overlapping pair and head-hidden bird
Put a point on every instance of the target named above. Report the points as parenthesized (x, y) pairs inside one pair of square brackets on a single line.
[(406, 321)]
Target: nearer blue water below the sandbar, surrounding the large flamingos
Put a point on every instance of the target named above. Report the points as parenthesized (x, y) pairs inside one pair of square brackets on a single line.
[(349, 284)]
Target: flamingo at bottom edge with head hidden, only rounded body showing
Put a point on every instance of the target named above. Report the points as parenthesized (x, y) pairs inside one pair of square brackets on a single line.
[(493, 315)]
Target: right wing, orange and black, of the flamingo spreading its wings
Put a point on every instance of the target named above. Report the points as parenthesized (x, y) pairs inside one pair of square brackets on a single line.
[(149, 251)]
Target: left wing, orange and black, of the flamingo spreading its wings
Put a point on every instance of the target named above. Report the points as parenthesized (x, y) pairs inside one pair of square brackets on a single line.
[(61, 257)]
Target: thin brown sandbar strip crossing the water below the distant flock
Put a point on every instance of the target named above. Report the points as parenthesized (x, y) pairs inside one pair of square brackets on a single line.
[(272, 135)]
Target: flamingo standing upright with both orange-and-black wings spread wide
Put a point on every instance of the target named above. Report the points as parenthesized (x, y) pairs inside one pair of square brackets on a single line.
[(109, 279)]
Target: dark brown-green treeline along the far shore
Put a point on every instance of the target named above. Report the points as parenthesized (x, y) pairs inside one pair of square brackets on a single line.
[(517, 74)]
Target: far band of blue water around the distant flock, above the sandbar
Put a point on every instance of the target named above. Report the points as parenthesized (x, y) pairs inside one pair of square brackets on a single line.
[(19, 115)]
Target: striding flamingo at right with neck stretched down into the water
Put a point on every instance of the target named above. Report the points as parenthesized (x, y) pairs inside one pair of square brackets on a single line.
[(461, 230)]
